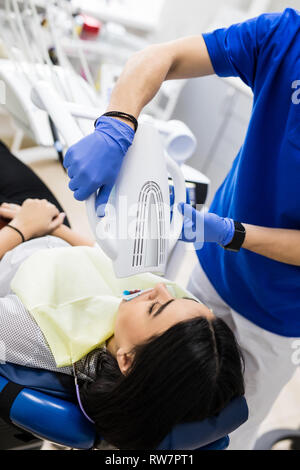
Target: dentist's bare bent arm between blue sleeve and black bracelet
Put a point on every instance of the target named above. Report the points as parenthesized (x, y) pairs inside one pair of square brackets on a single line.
[(145, 72)]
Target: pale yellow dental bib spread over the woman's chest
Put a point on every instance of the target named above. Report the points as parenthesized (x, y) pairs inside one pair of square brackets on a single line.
[(73, 295)]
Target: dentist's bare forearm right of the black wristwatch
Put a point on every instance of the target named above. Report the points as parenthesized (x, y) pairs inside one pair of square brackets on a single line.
[(281, 245)]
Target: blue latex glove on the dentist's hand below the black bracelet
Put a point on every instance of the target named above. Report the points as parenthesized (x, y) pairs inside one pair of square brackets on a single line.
[(95, 161)]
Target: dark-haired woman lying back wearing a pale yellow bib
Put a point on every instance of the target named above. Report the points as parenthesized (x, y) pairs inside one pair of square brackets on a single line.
[(145, 363)]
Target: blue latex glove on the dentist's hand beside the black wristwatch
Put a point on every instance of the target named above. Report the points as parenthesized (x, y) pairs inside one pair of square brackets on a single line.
[(200, 227)]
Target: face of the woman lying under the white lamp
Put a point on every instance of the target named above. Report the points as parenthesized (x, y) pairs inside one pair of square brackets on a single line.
[(152, 313)]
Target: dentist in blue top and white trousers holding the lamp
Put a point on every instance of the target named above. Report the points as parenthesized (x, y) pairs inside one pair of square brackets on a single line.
[(249, 265)]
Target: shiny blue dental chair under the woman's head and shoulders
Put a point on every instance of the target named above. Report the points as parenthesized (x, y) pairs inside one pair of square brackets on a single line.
[(44, 404)]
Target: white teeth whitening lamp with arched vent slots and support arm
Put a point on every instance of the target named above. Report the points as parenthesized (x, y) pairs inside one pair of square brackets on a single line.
[(137, 232)]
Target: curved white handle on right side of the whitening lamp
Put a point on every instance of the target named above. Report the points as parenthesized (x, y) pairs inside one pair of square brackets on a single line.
[(179, 196)]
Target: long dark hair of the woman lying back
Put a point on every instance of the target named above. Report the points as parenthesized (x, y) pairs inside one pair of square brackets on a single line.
[(189, 373)]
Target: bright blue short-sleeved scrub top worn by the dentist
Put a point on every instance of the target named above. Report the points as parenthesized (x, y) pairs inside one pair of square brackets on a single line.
[(263, 186)]
